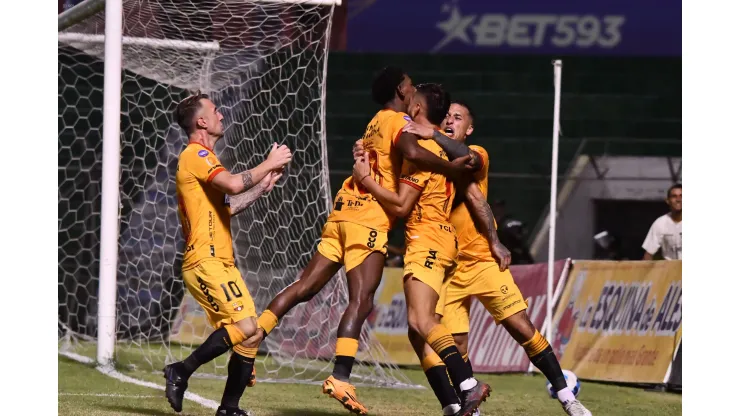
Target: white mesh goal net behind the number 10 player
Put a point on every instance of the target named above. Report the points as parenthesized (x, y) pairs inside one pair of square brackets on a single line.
[(264, 64)]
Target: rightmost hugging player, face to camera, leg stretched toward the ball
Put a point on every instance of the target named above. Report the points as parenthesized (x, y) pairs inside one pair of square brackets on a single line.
[(480, 274)]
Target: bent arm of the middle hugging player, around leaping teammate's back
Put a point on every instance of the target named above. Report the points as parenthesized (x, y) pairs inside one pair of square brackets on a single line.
[(397, 204)]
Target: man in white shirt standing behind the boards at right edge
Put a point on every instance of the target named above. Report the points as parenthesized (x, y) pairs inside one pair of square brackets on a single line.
[(665, 233)]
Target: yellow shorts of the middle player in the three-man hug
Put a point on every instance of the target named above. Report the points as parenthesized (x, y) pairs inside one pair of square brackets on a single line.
[(433, 267)]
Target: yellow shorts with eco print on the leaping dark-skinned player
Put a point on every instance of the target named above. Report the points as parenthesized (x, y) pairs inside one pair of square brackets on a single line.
[(349, 243)]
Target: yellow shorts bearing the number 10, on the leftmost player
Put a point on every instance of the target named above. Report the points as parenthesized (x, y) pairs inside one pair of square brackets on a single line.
[(221, 292)]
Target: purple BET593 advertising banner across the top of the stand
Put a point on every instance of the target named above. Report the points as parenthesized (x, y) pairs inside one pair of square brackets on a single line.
[(577, 27)]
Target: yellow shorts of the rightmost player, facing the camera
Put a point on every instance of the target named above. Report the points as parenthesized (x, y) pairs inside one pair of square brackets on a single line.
[(495, 289)]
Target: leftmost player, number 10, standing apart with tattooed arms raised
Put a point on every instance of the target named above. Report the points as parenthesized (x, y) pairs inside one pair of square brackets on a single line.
[(208, 268)]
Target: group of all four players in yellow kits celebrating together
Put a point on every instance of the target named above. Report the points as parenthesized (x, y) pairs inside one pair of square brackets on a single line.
[(411, 163)]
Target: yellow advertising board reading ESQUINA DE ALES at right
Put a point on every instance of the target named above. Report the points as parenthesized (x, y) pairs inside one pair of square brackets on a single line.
[(620, 321)]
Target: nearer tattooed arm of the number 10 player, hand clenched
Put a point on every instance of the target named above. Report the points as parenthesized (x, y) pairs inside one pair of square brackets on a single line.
[(234, 184)]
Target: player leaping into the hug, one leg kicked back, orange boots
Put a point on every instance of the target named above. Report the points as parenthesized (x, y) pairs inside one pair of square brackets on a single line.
[(356, 232)]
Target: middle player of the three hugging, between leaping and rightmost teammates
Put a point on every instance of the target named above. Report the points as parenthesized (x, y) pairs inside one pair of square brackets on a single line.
[(425, 198)]
